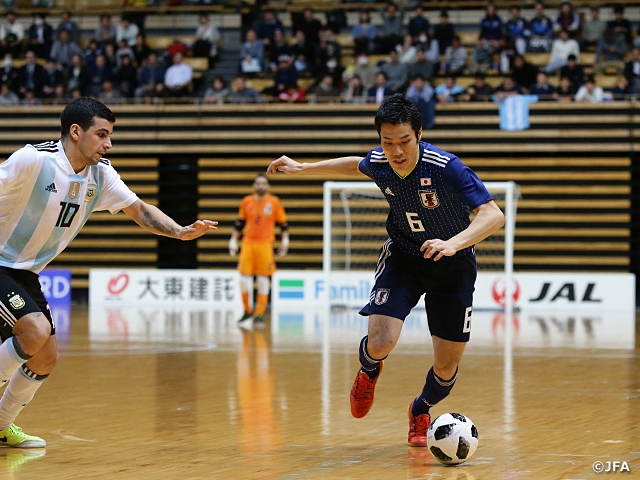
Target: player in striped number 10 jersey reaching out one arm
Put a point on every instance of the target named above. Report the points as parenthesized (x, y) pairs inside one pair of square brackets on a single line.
[(47, 192)]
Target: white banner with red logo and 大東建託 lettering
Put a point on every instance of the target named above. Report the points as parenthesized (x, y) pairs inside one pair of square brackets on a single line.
[(164, 287)]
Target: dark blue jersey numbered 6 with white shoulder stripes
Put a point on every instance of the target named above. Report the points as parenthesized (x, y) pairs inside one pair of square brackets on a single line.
[(433, 201)]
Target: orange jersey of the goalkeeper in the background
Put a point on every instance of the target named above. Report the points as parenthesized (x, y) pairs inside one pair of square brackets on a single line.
[(260, 217)]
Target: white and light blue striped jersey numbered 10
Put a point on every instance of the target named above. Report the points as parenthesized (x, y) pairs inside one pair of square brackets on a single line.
[(44, 203)]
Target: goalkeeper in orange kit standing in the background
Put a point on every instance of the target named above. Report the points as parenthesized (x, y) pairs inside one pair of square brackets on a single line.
[(258, 215)]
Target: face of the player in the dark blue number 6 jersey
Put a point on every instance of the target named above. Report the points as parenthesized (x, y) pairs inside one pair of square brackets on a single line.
[(400, 146)]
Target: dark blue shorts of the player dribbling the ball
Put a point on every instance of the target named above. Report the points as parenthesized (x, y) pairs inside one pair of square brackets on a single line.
[(448, 285)]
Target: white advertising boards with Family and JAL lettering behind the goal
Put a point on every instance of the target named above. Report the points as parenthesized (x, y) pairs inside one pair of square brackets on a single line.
[(547, 291)]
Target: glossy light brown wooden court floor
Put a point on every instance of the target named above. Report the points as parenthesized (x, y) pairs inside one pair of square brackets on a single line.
[(218, 402)]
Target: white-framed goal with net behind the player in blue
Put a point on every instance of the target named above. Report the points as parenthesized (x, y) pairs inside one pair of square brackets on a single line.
[(354, 223)]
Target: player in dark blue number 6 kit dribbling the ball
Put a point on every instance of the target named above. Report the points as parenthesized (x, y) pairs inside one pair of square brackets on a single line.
[(430, 251)]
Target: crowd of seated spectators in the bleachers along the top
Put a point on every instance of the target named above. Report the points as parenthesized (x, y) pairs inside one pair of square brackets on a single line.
[(312, 61)]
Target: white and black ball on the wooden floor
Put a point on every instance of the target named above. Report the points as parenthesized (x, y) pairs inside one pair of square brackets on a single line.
[(452, 438)]
